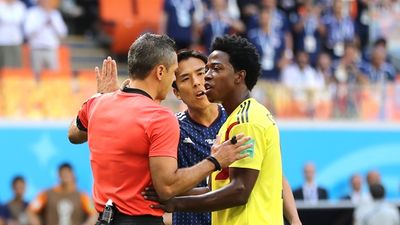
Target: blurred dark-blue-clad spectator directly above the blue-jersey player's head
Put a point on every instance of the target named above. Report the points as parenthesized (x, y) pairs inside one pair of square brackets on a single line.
[(178, 21)]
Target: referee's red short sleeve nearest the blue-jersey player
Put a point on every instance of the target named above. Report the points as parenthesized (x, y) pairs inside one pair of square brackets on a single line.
[(163, 132)]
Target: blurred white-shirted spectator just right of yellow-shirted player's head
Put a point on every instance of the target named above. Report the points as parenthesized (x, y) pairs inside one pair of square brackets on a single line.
[(303, 83)]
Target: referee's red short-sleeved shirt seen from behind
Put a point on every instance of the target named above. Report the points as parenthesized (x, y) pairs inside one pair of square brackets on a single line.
[(125, 128)]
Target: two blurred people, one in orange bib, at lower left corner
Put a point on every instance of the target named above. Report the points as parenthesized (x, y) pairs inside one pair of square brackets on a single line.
[(61, 204)]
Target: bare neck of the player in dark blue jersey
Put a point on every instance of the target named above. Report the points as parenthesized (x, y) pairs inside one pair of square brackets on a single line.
[(204, 116)]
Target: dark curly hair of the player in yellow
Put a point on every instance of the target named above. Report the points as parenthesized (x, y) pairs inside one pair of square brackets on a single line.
[(242, 55)]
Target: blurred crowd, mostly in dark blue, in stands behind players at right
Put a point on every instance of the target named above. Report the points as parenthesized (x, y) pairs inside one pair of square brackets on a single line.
[(328, 58)]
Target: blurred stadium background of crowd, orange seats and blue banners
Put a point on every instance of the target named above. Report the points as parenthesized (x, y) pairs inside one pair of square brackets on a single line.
[(330, 75)]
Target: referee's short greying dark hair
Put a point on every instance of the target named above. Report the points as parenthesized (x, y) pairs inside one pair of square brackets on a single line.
[(148, 51)]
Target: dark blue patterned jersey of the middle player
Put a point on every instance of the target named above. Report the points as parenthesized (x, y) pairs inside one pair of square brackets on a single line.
[(194, 146)]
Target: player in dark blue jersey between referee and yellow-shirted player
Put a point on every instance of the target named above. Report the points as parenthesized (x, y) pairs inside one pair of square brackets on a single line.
[(199, 124)]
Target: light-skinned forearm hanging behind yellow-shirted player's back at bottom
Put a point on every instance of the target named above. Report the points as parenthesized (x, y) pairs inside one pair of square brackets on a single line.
[(289, 204)]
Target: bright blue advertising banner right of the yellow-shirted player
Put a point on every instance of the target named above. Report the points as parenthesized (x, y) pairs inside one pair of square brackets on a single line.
[(340, 150)]
